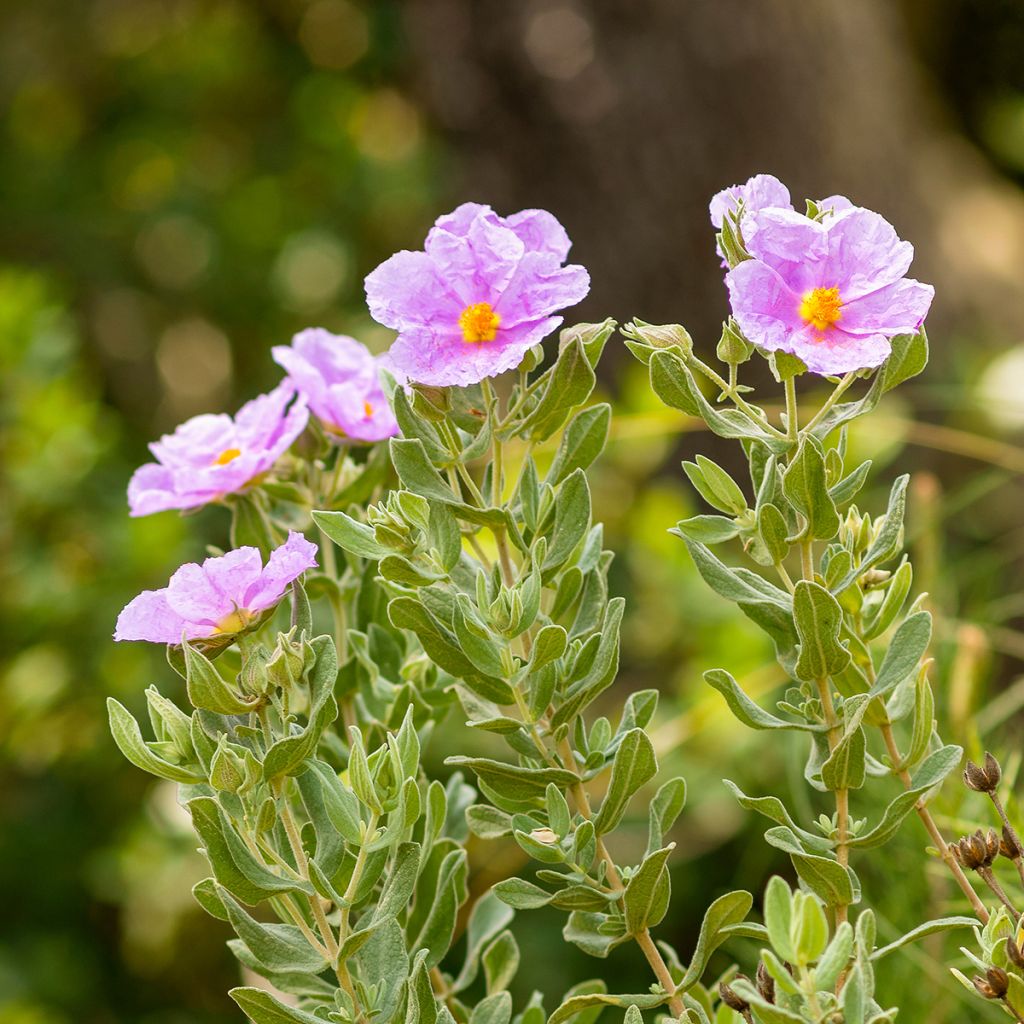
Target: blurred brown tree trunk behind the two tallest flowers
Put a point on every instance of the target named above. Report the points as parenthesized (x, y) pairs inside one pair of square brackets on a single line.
[(626, 117)]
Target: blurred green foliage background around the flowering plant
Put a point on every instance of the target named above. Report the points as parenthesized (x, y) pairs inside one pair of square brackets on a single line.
[(185, 184)]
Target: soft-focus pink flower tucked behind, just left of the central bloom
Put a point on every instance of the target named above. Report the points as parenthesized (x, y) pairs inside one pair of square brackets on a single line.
[(340, 380)]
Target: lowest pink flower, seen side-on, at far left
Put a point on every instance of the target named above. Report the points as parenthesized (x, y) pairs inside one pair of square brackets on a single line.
[(223, 596)]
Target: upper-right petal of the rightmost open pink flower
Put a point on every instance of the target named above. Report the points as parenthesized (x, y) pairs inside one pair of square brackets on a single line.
[(865, 254)]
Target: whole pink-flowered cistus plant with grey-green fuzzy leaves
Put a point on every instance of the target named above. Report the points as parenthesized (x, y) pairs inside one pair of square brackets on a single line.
[(413, 540)]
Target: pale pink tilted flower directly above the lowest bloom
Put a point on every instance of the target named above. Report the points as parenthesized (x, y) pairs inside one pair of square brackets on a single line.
[(211, 456)]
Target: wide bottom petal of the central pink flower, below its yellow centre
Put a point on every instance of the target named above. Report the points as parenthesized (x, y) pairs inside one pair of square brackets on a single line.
[(449, 360)]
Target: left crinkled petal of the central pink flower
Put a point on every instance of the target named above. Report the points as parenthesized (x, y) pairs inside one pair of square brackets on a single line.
[(408, 291)]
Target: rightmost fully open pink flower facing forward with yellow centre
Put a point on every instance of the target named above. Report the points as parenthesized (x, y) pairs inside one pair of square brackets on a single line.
[(831, 292)]
